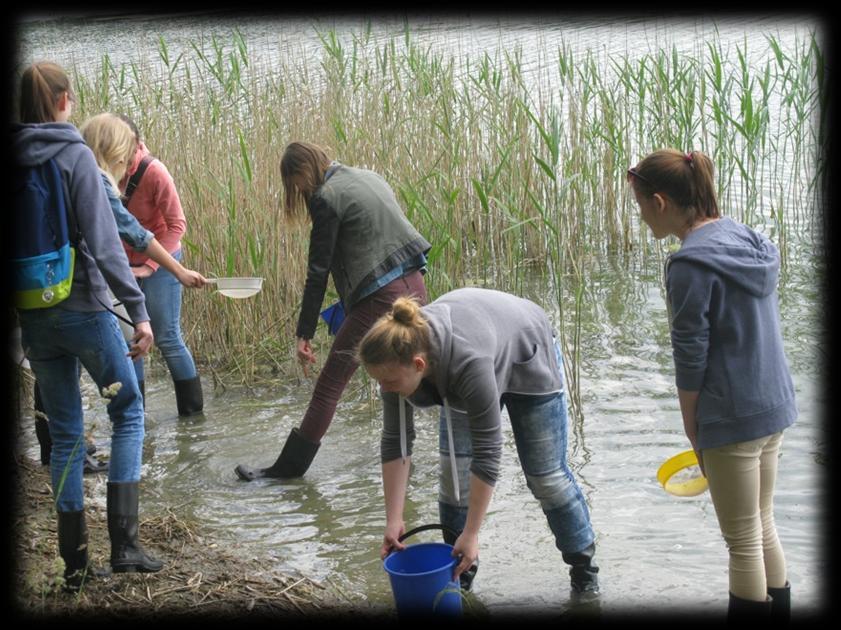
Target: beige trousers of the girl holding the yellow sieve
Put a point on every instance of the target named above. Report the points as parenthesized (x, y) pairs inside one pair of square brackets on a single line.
[(741, 479)]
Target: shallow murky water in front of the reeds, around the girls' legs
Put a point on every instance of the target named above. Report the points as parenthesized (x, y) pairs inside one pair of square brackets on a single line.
[(656, 551)]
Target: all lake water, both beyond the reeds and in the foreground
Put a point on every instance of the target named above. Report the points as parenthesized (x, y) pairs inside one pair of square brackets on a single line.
[(656, 552)]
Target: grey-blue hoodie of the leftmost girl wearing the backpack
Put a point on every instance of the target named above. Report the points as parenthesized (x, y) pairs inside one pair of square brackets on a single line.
[(103, 260)]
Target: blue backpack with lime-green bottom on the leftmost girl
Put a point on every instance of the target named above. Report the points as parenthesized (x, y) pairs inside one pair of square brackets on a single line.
[(42, 256)]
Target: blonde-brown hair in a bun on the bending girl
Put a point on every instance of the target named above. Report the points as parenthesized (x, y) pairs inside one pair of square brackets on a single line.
[(397, 336)]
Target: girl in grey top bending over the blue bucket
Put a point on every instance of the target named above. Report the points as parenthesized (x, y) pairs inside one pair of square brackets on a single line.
[(472, 351)]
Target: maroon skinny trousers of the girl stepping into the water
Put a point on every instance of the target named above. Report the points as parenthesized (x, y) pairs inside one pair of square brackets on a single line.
[(341, 362)]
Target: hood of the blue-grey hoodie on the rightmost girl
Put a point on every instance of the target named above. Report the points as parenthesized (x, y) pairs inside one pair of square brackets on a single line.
[(735, 252)]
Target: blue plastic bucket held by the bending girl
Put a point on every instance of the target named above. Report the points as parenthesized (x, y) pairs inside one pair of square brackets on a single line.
[(421, 580)]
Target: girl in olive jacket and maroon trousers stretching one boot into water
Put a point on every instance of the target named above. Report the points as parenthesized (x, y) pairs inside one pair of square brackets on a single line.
[(362, 239)]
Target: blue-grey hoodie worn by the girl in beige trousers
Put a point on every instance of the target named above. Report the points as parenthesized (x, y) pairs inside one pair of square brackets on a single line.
[(726, 338)]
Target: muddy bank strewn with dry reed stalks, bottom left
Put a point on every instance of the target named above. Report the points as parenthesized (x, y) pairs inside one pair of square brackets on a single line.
[(200, 578)]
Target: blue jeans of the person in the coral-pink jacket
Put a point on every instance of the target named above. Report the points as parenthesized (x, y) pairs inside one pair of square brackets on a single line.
[(163, 303)]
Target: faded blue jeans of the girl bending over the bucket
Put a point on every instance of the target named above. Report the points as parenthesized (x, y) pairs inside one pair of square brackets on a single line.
[(540, 433)]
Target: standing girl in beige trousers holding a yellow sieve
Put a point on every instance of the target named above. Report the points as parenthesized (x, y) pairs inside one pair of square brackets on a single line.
[(736, 394)]
